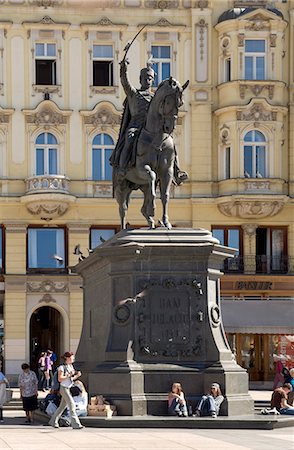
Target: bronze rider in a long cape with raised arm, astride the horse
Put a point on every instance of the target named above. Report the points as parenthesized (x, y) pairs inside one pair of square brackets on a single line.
[(136, 106)]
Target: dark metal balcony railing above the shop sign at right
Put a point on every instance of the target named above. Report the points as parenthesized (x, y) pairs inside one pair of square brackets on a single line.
[(259, 264)]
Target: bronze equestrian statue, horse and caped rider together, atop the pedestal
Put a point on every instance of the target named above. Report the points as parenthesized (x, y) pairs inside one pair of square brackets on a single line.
[(145, 154)]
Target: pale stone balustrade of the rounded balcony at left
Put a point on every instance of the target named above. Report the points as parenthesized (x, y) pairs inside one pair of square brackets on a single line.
[(40, 184)]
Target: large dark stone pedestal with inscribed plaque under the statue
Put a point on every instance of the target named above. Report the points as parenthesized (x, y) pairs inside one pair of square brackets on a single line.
[(152, 317)]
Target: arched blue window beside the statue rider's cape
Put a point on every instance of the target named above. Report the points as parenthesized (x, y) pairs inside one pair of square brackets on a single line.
[(102, 147)]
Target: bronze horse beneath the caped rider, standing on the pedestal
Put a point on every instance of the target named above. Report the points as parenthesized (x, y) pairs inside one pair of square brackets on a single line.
[(155, 154)]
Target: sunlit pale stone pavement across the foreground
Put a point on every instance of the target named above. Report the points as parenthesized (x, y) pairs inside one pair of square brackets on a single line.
[(16, 435)]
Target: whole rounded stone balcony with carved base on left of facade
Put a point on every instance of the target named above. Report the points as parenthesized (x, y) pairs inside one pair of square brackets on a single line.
[(47, 196)]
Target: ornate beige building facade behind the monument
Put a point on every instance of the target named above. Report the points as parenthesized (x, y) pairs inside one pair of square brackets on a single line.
[(219, 110)]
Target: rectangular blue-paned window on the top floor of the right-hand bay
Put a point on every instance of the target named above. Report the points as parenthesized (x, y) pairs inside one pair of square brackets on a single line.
[(254, 59)]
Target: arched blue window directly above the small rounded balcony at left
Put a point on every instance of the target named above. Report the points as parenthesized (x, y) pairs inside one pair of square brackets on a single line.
[(46, 154)]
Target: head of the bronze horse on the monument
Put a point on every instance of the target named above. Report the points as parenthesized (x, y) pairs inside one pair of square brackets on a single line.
[(171, 99)]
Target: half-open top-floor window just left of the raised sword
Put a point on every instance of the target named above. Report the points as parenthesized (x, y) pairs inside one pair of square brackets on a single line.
[(102, 65)]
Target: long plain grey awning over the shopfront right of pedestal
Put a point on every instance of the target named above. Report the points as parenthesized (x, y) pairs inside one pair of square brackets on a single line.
[(258, 316)]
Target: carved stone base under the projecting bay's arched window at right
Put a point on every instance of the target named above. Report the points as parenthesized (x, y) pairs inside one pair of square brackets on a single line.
[(249, 209)]
